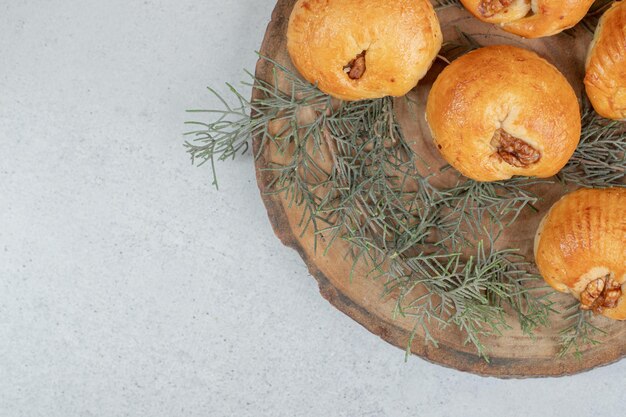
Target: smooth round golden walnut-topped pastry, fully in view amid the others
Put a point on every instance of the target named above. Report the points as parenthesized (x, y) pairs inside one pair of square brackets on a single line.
[(502, 111)]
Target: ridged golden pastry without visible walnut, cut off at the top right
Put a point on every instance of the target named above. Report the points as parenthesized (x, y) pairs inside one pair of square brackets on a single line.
[(606, 64)]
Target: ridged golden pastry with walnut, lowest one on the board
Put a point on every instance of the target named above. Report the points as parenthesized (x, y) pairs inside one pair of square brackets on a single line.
[(580, 248)]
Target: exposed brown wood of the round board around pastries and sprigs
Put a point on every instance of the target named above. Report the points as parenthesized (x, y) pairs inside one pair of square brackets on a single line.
[(512, 355)]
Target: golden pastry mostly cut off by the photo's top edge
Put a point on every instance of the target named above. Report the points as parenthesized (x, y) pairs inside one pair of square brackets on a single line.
[(530, 19)]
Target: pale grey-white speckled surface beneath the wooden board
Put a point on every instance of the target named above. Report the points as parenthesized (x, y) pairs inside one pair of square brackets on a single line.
[(129, 287)]
